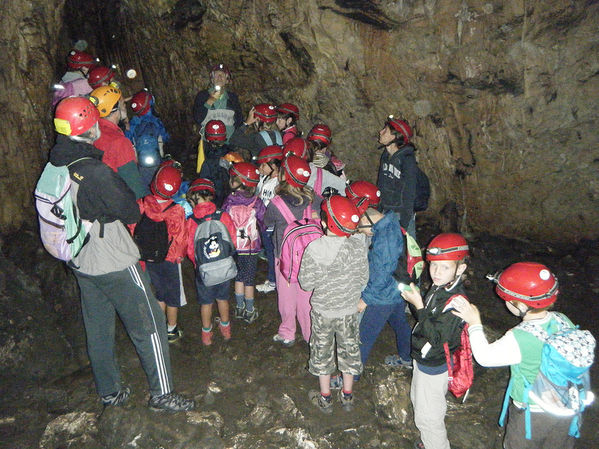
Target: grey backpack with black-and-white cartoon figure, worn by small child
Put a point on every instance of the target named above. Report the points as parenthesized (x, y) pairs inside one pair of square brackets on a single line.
[(213, 250)]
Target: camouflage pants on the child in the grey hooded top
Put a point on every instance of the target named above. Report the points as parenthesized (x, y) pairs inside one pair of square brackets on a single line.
[(325, 332)]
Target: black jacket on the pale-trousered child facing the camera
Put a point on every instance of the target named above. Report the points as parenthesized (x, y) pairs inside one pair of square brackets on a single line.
[(435, 327)]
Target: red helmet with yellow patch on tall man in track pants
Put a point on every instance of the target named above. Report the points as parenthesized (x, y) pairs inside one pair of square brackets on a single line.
[(75, 115)]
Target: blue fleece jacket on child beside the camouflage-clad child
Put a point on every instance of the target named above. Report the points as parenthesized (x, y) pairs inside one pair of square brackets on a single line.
[(385, 249)]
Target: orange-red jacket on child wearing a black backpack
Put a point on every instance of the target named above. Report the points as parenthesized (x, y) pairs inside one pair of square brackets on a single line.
[(174, 217)]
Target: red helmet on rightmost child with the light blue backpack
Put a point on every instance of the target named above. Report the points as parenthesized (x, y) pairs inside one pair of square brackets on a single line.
[(529, 282)]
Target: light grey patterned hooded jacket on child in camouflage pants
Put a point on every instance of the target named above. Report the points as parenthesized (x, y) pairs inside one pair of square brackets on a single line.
[(336, 268)]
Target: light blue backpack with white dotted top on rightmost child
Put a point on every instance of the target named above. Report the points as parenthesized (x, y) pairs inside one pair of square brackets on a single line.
[(562, 386)]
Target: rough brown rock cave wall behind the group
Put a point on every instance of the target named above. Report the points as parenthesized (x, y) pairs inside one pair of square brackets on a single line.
[(502, 94)]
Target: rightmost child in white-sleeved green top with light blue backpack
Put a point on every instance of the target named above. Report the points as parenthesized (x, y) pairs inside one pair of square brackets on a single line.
[(549, 360)]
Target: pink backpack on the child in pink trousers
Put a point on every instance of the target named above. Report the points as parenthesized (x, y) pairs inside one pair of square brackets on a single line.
[(296, 237)]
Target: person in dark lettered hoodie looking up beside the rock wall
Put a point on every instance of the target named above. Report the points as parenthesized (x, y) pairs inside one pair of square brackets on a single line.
[(404, 187)]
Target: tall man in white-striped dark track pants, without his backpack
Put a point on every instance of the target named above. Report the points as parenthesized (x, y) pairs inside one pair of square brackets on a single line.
[(107, 267)]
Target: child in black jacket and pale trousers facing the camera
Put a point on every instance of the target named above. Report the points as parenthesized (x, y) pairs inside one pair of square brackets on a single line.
[(447, 256)]
